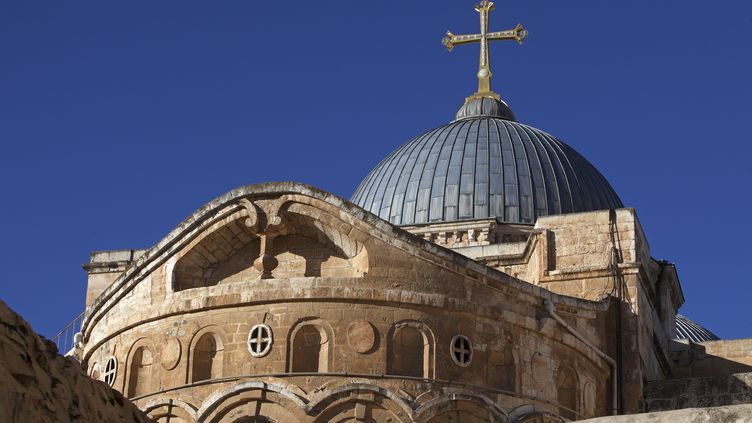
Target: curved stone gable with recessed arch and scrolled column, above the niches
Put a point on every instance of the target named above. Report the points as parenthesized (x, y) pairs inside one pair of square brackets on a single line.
[(274, 231)]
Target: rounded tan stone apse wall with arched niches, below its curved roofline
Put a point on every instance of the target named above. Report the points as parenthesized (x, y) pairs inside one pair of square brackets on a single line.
[(381, 280)]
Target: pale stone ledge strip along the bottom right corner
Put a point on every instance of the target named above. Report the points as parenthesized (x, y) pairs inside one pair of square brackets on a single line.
[(727, 414)]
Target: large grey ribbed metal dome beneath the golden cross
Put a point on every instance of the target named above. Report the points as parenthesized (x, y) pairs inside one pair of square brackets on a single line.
[(479, 167)]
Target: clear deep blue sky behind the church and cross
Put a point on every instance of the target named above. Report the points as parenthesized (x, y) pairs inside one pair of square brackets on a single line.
[(119, 119)]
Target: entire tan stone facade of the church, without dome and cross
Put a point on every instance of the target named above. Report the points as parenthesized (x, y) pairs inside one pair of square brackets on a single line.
[(280, 302)]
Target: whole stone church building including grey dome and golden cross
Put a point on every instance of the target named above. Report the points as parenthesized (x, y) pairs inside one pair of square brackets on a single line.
[(484, 271)]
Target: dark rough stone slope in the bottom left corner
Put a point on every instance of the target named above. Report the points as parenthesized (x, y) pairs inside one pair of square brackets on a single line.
[(38, 385)]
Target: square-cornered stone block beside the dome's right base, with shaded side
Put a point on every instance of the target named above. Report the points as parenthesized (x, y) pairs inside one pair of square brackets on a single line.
[(573, 255)]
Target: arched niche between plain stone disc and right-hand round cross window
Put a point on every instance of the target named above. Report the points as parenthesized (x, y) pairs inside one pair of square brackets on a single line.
[(410, 351)]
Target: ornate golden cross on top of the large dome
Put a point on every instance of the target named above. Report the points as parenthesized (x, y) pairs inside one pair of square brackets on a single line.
[(484, 71)]
